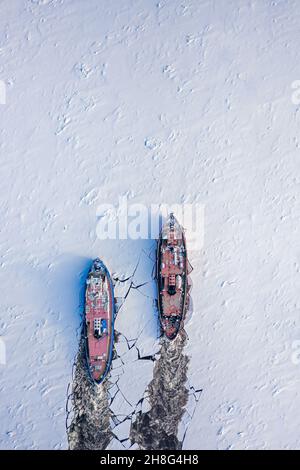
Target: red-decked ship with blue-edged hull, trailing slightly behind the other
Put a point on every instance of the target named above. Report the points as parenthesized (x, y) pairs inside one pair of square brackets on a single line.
[(99, 321)]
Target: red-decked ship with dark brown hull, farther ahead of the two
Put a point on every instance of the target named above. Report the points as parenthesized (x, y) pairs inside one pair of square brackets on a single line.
[(172, 278)]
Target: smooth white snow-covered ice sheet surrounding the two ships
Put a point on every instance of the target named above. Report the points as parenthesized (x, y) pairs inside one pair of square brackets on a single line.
[(164, 101)]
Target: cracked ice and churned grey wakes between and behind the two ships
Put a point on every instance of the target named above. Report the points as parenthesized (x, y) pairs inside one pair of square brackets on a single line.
[(145, 401)]
